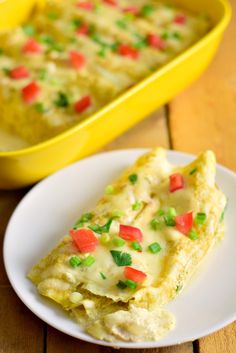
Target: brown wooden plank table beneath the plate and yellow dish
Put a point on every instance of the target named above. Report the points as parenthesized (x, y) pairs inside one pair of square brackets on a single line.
[(203, 117)]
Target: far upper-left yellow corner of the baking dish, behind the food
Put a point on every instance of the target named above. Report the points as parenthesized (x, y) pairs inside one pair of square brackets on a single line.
[(14, 12)]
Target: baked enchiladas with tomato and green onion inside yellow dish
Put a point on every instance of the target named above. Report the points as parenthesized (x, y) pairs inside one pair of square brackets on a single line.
[(74, 57)]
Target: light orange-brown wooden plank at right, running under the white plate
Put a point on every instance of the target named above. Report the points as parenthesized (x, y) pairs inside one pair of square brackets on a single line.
[(203, 117)]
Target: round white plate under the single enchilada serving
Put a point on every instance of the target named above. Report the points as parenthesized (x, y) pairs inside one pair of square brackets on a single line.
[(51, 208)]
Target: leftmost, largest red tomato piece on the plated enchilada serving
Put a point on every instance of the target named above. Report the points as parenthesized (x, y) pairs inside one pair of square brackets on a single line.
[(84, 240)]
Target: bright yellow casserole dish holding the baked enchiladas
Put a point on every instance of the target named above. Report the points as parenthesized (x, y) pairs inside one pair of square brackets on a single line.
[(25, 166)]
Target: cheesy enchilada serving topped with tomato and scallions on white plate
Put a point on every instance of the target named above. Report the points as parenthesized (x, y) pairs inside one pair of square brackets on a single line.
[(135, 251)]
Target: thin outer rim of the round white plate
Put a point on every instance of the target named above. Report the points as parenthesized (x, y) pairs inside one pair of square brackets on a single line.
[(90, 339)]
